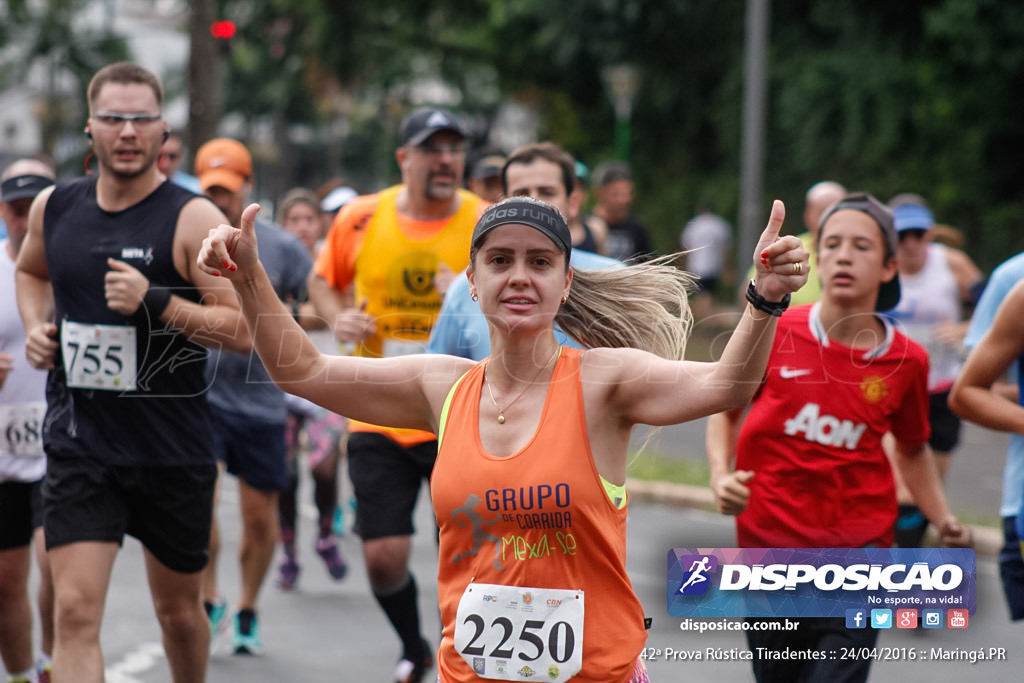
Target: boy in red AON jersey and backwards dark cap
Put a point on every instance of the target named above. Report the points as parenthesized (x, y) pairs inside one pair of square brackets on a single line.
[(810, 471)]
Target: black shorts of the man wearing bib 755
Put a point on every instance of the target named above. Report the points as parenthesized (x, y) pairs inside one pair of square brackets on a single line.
[(168, 509)]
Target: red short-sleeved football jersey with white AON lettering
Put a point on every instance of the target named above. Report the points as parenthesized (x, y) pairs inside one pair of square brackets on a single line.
[(814, 438)]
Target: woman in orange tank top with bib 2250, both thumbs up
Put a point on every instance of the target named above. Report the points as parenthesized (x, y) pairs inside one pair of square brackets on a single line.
[(529, 486)]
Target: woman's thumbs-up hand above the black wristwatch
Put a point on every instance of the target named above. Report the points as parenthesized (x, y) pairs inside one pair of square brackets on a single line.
[(781, 263)]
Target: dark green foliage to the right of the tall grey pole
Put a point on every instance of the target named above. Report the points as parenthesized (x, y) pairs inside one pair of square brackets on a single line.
[(909, 97)]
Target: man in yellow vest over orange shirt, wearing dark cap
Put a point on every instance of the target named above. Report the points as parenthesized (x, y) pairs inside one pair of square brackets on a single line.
[(379, 281)]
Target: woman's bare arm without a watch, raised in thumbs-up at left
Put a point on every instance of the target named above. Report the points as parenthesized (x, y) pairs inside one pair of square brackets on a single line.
[(405, 392)]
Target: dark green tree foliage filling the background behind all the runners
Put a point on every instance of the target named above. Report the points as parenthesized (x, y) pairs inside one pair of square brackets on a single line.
[(918, 96)]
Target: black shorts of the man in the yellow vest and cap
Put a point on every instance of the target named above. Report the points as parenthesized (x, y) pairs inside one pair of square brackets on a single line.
[(387, 479)]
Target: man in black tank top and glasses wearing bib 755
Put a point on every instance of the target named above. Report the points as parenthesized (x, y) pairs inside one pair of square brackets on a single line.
[(118, 312)]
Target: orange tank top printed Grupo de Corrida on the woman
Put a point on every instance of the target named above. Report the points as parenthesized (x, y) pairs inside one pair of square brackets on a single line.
[(539, 519)]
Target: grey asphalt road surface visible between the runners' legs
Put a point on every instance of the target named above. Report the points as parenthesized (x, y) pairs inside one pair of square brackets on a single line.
[(327, 631)]
